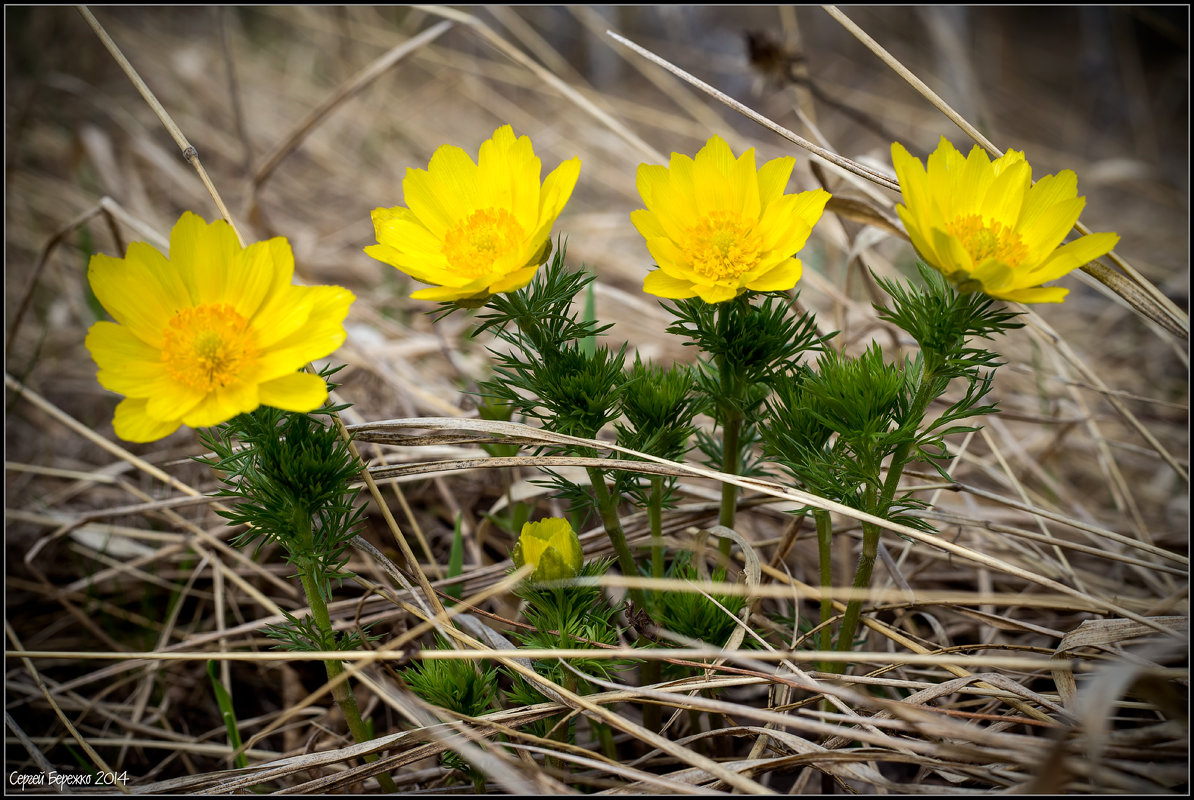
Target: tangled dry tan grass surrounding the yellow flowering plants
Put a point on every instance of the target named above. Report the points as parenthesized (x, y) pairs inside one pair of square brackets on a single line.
[(1038, 644)]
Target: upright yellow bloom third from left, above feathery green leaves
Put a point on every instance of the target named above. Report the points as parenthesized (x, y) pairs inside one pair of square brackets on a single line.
[(718, 227)]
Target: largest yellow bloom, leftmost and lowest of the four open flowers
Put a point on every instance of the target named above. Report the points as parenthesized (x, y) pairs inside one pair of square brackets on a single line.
[(211, 333)]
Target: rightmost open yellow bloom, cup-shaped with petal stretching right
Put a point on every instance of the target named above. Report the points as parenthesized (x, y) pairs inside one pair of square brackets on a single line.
[(987, 227)]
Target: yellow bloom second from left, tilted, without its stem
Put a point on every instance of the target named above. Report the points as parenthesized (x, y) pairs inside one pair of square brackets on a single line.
[(475, 230)]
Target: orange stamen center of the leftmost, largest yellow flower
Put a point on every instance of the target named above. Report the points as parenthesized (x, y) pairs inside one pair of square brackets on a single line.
[(207, 347)]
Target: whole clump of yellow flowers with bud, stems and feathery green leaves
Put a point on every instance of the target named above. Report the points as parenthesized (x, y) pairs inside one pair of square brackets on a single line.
[(217, 335)]
